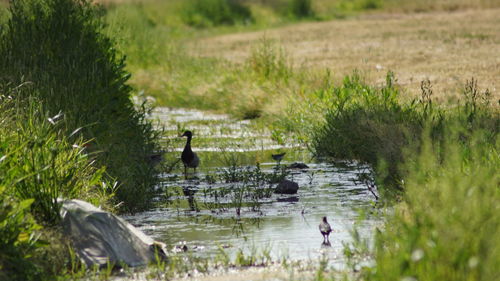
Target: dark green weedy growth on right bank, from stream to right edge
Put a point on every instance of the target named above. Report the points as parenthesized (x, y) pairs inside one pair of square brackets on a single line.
[(372, 125)]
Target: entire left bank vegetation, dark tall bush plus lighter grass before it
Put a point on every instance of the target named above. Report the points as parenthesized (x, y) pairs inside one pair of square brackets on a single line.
[(69, 130)]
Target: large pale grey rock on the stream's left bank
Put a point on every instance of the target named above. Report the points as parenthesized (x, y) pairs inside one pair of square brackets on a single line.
[(99, 237)]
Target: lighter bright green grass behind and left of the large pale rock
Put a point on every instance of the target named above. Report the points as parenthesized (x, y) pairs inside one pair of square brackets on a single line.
[(40, 161)]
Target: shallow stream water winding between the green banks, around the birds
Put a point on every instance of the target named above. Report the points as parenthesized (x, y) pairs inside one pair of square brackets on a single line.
[(201, 211)]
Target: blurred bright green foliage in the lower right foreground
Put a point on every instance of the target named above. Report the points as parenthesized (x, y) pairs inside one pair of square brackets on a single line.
[(447, 226)]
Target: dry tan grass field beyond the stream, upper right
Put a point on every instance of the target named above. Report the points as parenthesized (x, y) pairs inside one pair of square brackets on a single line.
[(446, 47)]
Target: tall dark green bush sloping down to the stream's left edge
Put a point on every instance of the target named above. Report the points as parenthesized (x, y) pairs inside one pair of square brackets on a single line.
[(59, 47)]
